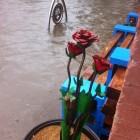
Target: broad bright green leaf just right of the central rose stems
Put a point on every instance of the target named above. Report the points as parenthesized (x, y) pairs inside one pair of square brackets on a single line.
[(84, 102)]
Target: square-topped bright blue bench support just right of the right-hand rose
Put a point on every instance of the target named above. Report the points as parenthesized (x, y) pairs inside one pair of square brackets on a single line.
[(120, 56)]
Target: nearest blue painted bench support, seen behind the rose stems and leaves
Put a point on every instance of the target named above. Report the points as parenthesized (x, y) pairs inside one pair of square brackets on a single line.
[(97, 115)]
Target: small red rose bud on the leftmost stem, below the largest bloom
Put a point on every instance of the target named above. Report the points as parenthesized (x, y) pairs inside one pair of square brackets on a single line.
[(73, 49)]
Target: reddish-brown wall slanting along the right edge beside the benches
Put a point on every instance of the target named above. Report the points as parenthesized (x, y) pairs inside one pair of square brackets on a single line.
[(126, 124)]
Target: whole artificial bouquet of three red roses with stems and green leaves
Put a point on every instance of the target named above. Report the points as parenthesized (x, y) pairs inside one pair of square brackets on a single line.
[(78, 104)]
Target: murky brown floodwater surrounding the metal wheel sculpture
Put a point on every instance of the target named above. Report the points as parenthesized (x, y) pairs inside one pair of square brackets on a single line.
[(33, 61)]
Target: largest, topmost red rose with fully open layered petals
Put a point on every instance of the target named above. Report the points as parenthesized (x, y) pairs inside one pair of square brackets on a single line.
[(85, 38)]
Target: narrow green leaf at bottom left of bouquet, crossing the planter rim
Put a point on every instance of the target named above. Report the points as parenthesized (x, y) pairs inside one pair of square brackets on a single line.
[(65, 131)]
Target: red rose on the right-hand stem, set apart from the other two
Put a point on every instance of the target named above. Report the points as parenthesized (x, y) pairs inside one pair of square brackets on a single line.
[(101, 64)]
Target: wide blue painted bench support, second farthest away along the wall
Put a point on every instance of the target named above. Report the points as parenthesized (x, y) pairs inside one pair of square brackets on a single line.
[(125, 30)]
